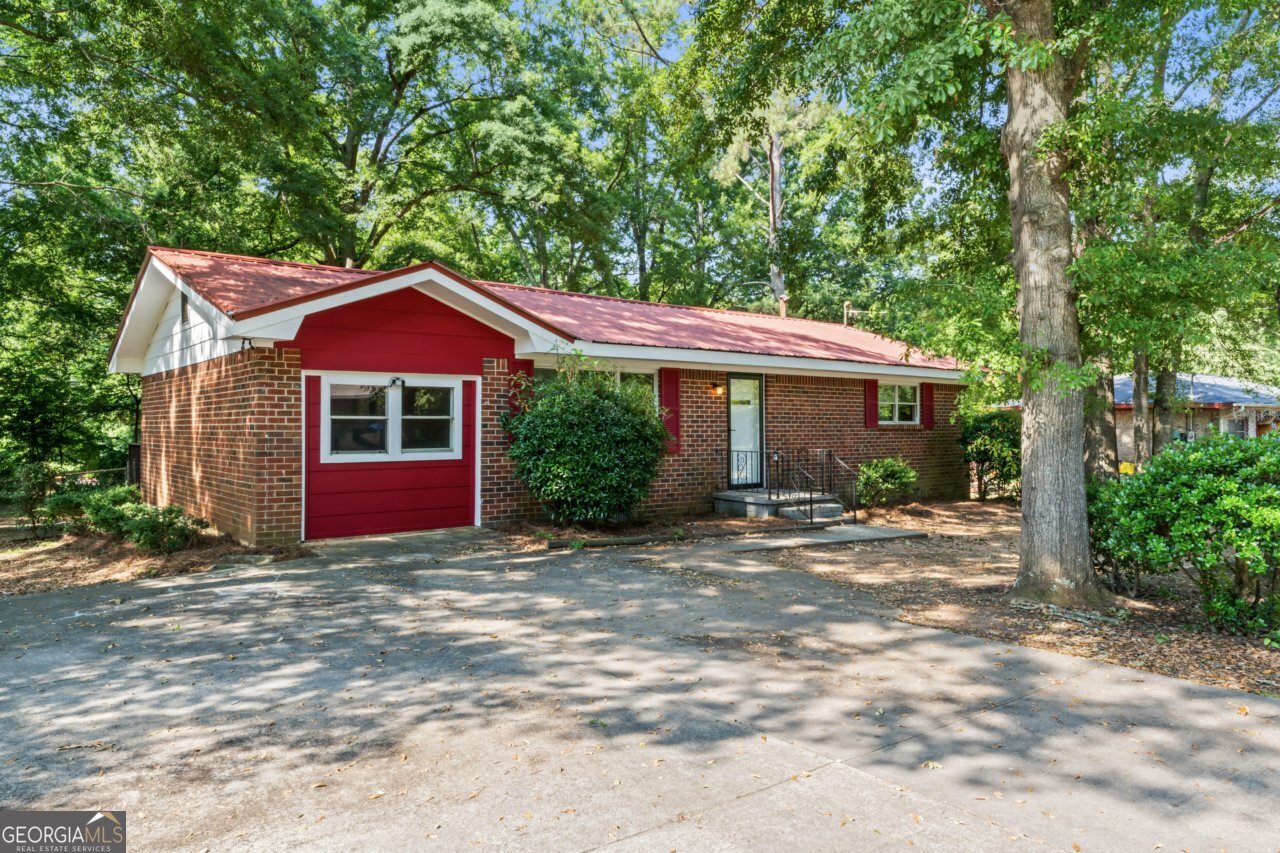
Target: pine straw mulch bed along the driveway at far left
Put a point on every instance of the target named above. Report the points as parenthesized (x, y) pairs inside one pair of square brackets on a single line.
[(39, 565)]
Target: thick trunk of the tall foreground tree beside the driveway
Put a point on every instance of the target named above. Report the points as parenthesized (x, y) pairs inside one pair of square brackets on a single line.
[(1055, 564)]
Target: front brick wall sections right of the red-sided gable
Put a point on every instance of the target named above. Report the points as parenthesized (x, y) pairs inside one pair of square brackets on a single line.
[(799, 413)]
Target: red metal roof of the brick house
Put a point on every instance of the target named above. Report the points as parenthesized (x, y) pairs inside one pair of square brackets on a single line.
[(243, 286)]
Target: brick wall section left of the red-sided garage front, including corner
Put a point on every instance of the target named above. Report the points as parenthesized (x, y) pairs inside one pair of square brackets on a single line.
[(223, 441)]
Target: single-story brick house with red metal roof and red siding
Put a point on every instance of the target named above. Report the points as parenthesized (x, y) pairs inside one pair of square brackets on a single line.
[(292, 402)]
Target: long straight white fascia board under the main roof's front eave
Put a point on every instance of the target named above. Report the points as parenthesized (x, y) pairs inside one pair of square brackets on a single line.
[(749, 362)]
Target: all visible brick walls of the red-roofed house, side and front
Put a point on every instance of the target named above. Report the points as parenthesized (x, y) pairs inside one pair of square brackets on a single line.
[(223, 441)]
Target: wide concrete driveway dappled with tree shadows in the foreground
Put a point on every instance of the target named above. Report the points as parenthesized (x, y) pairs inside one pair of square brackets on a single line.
[(433, 692)]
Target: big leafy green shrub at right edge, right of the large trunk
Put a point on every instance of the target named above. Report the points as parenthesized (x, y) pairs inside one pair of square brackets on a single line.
[(1209, 509)]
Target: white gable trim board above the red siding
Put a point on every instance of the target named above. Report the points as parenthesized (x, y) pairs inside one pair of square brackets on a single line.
[(285, 323)]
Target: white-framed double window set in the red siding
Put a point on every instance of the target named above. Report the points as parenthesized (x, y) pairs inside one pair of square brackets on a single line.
[(369, 418)]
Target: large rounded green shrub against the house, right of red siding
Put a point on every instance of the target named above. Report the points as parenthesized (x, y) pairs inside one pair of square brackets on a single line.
[(587, 448)]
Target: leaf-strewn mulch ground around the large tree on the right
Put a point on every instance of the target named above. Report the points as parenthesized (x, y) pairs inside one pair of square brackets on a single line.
[(958, 577)]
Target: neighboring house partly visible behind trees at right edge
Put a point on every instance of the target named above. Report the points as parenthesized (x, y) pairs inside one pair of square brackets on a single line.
[(1205, 404)]
